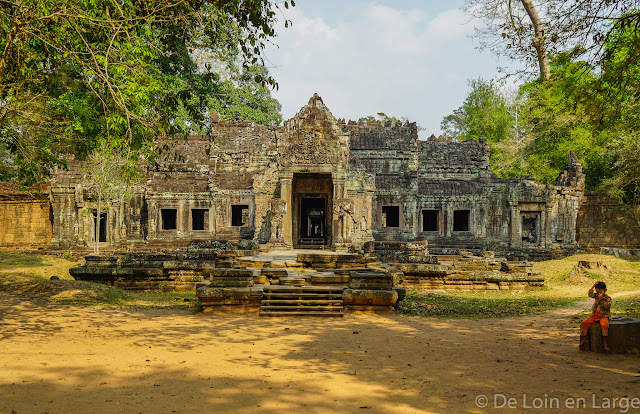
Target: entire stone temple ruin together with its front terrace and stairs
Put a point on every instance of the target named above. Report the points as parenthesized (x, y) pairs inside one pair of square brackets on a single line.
[(379, 208)]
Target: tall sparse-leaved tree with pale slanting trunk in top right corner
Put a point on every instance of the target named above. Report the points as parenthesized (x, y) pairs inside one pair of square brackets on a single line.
[(528, 33)]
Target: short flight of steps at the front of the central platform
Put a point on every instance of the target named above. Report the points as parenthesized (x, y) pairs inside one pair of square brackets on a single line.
[(280, 300)]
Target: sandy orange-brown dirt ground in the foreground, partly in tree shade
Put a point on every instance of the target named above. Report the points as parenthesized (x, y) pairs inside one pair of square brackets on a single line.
[(95, 360)]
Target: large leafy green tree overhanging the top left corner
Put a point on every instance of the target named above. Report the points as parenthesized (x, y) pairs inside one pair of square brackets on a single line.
[(76, 72)]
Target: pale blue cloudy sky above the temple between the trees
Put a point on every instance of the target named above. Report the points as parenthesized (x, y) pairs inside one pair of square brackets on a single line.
[(406, 58)]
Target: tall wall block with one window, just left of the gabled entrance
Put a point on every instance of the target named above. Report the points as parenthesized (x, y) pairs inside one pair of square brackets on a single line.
[(243, 172)]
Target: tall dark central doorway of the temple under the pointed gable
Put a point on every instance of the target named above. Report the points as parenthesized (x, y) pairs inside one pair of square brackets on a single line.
[(312, 201)]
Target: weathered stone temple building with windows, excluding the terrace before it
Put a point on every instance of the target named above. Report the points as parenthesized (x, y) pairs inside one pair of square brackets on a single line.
[(320, 182)]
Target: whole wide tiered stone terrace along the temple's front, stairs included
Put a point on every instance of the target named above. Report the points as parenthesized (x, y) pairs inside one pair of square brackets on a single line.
[(310, 282)]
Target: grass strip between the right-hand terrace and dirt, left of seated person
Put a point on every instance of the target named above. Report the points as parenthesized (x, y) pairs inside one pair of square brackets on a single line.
[(477, 305)]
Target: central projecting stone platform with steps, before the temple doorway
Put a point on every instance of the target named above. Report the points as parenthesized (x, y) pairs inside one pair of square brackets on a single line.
[(302, 282)]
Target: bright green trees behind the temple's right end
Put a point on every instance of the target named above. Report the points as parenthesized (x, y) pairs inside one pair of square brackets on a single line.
[(582, 108)]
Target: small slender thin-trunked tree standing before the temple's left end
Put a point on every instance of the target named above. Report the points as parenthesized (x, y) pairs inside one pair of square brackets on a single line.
[(109, 178)]
